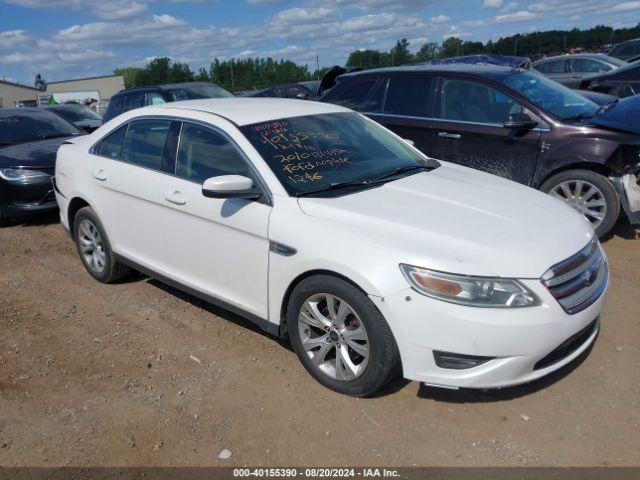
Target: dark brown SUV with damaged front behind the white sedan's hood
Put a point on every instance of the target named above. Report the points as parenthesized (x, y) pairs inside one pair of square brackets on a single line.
[(513, 123)]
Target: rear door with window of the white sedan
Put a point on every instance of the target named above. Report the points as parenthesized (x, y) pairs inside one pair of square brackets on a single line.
[(126, 169)]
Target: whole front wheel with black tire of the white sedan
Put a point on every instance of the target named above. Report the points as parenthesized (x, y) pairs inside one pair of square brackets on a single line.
[(368, 355)]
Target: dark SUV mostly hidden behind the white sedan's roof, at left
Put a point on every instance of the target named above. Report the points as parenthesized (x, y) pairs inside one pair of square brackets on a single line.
[(126, 100)]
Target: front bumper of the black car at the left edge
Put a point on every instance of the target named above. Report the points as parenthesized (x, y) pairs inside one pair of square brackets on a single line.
[(20, 199)]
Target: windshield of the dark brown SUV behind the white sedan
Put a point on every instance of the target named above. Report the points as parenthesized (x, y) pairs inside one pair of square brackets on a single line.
[(550, 96)]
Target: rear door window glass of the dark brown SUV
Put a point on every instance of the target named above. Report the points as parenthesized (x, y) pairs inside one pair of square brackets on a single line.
[(408, 96)]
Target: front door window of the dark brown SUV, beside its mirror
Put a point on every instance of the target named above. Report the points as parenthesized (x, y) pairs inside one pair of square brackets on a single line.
[(469, 101)]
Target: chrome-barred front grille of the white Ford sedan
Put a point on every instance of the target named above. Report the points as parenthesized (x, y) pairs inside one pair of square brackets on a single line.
[(577, 282)]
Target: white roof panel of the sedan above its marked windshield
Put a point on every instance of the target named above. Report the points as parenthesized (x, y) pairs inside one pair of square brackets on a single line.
[(248, 110)]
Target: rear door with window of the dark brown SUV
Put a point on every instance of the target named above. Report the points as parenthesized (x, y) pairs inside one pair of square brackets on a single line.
[(408, 109)]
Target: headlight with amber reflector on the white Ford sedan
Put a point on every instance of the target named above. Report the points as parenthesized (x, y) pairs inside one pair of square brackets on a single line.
[(469, 290)]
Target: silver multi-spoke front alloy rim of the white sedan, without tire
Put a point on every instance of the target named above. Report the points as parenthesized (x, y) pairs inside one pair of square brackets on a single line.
[(333, 337)]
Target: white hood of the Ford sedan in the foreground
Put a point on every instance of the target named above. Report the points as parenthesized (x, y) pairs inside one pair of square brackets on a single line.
[(460, 220)]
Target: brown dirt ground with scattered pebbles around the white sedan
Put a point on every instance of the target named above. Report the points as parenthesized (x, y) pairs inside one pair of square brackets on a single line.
[(138, 374)]
